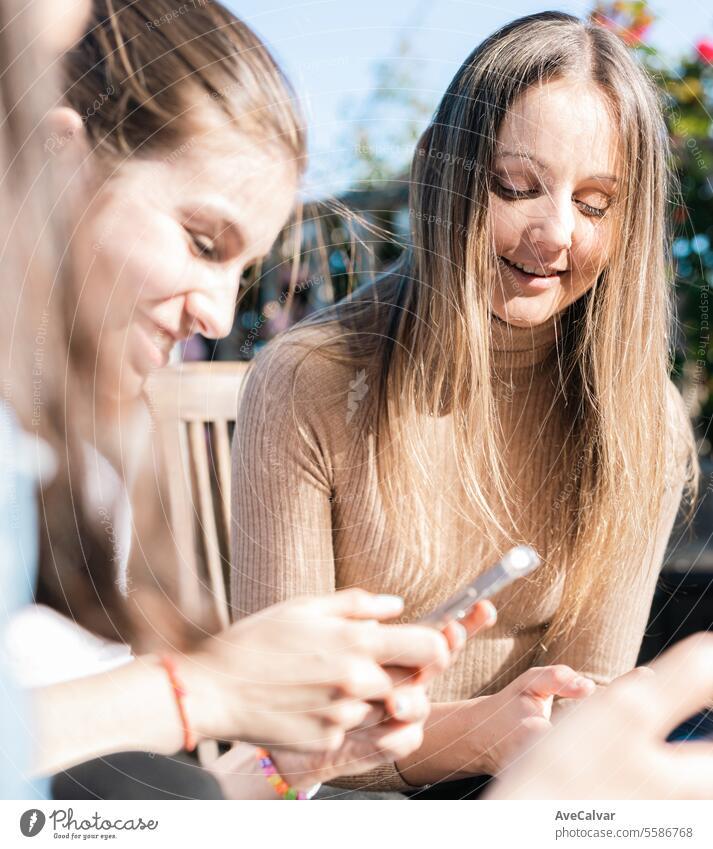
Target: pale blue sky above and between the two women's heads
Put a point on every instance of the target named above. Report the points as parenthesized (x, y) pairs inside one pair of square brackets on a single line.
[(331, 49)]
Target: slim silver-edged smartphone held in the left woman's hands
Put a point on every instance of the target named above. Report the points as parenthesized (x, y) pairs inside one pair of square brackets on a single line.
[(516, 563)]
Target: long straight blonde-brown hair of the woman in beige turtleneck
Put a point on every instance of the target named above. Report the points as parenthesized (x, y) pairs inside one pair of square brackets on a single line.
[(423, 330)]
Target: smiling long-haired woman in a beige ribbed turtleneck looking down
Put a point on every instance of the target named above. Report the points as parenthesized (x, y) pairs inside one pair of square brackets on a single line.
[(507, 382)]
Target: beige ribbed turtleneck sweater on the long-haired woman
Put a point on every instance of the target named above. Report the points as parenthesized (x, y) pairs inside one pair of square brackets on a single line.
[(307, 516)]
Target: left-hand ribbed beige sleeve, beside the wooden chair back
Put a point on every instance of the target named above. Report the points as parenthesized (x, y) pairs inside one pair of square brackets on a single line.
[(281, 517)]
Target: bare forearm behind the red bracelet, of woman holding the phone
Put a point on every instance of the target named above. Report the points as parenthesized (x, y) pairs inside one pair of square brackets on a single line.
[(132, 708)]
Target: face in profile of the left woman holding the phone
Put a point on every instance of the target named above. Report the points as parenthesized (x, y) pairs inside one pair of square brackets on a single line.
[(162, 248)]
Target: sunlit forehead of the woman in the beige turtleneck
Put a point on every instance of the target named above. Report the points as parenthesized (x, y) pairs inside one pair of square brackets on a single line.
[(566, 124)]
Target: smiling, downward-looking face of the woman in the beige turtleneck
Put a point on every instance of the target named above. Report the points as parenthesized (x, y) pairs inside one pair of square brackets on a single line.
[(555, 177)]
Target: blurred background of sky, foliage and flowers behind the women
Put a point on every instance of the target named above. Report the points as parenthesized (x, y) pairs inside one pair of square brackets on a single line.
[(369, 75)]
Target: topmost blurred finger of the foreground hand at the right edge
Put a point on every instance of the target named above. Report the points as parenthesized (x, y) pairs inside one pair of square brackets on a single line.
[(681, 686)]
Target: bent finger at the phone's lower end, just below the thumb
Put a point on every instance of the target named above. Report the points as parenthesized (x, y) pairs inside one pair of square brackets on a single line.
[(409, 645)]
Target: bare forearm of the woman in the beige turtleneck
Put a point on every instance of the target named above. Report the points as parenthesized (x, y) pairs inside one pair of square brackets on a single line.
[(455, 744)]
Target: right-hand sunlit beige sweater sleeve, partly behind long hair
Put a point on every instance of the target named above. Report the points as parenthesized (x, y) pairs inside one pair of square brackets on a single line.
[(607, 640)]
